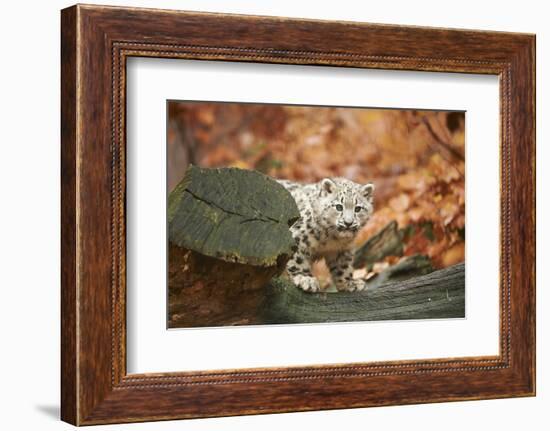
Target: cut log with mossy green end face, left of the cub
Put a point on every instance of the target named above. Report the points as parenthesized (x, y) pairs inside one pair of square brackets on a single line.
[(228, 236)]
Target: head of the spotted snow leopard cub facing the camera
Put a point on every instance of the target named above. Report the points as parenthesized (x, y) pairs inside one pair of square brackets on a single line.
[(344, 206)]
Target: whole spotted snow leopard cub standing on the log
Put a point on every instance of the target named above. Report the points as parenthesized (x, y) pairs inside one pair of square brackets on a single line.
[(332, 212)]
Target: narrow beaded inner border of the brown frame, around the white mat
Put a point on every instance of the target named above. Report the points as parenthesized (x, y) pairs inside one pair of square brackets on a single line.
[(121, 50)]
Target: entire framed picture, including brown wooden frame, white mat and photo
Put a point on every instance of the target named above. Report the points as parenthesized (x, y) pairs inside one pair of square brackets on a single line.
[(263, 214)]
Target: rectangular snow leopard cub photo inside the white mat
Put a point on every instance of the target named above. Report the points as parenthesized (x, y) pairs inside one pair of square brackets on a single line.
[(232, 258)]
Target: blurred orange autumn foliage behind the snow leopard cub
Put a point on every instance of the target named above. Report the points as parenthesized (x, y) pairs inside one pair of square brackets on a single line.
[(414, 158)]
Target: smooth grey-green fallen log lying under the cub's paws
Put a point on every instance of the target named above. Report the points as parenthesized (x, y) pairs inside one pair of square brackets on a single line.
[(437, 295)]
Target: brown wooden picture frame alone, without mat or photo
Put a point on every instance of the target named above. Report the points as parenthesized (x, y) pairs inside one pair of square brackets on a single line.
[(96, 41)]
